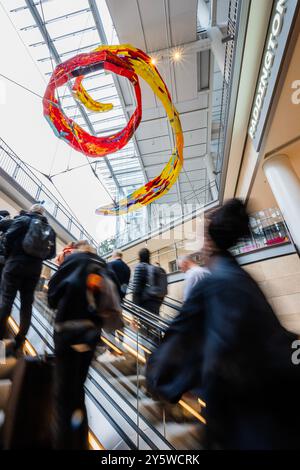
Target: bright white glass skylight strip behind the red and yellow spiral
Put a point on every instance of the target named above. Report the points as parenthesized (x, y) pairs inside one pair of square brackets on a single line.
[(86, 24)]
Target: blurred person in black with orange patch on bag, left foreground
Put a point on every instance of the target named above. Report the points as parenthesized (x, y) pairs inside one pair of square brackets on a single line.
[(76, 290)]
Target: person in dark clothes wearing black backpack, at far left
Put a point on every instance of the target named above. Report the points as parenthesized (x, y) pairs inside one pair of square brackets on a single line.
[(29, 240)]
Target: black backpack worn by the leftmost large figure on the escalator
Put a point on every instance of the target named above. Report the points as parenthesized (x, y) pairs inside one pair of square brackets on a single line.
[(39, 240)]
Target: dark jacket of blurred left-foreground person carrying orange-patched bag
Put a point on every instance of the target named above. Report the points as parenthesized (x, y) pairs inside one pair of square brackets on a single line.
[(67, 287)]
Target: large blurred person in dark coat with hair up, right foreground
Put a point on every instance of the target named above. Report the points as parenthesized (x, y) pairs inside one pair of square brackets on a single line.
[(228, 347)]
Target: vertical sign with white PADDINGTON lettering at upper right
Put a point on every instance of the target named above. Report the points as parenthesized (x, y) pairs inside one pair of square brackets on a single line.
[(280, 25)]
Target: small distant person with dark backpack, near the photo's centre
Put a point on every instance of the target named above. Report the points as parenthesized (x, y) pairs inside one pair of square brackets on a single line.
[(149, 283)]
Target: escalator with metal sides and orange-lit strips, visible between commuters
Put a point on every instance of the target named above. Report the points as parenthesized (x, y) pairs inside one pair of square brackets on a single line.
[(121, 413)]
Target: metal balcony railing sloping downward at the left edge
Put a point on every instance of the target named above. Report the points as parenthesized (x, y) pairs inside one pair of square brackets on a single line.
[(11, 164)]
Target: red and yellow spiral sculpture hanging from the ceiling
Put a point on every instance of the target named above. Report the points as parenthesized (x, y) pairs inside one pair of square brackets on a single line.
[(132, 63)]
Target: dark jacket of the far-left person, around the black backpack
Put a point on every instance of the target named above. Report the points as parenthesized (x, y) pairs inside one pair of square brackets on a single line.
[(15, 236)]
